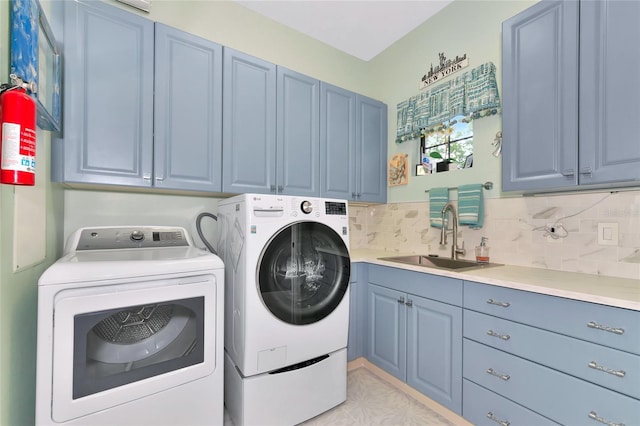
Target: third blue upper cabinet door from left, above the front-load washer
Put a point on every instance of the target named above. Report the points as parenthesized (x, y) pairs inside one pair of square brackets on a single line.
[(248, 124)]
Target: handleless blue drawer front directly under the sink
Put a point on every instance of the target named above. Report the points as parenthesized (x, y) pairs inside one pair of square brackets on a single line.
[(435, 287)]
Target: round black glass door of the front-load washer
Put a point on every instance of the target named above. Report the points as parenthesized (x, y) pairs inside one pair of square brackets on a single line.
[(303, 272)]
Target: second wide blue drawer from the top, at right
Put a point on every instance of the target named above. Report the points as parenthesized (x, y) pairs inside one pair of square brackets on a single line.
[(614, 369)]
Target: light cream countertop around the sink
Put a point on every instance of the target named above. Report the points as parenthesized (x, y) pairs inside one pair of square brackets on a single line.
[(611, 291)]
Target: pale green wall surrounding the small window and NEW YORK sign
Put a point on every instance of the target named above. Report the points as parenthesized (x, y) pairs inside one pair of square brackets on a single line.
[(472, 27)]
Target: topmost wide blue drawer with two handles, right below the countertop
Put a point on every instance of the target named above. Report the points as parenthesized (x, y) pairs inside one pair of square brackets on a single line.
[(605, 325)]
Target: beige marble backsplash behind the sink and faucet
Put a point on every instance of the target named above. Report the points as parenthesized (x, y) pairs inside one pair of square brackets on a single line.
[(515, 231)]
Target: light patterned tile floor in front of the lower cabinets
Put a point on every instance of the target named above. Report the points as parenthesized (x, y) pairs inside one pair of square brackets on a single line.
[(373, 401)]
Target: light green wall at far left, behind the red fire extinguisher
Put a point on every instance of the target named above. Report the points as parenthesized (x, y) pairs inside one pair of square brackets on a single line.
[(18, 291)]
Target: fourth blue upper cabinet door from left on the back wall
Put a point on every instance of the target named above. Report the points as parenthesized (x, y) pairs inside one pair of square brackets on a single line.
[(298, 134)]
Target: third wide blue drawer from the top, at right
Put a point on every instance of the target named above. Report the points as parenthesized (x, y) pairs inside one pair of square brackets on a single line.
[(558, 396)]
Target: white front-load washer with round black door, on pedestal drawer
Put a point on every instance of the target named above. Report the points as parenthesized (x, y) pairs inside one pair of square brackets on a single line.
[(287, 272)]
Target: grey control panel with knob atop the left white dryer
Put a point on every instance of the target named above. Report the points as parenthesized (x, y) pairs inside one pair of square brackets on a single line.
[(127, 237)]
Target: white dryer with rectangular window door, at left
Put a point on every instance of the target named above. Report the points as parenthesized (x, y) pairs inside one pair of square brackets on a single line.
[(130, 331)]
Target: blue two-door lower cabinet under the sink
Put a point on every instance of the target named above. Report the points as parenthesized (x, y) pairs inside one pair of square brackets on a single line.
[(416, 339)]
